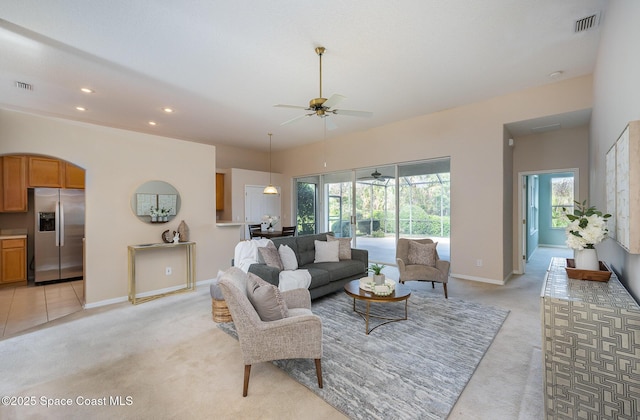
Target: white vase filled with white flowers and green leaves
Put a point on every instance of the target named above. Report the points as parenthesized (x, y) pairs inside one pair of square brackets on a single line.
[(587, 227)]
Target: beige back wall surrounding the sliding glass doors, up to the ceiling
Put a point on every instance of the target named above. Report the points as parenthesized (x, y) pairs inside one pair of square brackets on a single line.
[(473, 136)]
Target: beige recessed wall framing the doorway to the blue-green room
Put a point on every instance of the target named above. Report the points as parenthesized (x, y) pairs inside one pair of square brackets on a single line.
[(551, 151)]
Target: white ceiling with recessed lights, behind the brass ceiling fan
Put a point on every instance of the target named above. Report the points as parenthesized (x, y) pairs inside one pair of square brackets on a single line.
[(222, 65)]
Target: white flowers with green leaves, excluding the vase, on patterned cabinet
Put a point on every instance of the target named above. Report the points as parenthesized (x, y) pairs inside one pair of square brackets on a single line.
[(587, 226)]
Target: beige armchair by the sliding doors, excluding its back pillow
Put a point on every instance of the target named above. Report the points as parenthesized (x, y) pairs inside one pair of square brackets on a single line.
[(417, 272)]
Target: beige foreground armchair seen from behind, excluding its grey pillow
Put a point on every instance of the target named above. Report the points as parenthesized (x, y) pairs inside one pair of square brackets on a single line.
[(299, 336)]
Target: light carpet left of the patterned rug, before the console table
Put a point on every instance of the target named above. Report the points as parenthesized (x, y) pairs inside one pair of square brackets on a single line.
[(166, 355)]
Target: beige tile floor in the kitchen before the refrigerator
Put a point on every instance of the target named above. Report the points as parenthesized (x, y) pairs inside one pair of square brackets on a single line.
[(24, 307)]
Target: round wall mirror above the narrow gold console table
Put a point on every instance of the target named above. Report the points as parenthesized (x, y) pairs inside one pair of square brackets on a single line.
[(155, 202)]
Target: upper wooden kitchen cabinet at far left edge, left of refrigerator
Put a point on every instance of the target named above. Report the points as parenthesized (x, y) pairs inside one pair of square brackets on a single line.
[(13, 184)]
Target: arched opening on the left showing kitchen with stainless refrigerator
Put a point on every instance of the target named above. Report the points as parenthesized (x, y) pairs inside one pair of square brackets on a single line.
[(28, 297)]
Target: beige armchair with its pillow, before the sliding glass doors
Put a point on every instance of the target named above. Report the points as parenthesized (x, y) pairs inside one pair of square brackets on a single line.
[(418, 260)]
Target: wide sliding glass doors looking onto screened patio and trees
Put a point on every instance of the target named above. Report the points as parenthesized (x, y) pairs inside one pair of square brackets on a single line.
[(376, 206)]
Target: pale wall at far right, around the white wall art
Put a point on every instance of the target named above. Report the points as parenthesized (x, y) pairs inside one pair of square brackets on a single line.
[(616, 102)]
